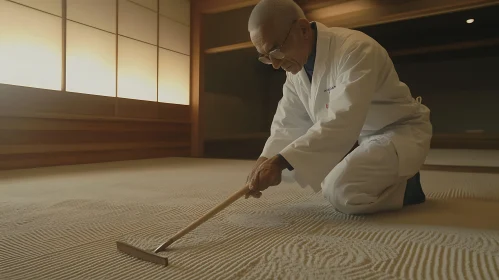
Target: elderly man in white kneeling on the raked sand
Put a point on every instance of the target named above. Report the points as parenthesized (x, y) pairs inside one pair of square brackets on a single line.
[(341, 89)]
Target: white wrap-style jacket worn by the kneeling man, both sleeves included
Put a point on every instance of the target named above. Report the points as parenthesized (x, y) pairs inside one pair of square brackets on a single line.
[(355, 94)]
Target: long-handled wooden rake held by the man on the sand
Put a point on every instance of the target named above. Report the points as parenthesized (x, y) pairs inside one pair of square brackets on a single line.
[(152, 256)]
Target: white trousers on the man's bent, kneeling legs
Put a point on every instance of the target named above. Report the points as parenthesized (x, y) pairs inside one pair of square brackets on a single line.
[(367, 180)]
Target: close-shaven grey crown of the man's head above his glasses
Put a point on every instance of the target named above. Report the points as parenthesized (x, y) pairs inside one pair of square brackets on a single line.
[(276, 15)]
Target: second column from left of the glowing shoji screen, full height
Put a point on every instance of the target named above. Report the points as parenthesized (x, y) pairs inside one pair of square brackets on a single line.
[(91, 47)]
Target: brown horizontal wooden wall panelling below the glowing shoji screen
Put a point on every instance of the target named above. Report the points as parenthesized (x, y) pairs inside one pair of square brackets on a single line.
[(46, 128)]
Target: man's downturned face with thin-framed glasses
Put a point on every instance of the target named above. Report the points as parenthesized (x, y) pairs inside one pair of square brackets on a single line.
[(292, 46)]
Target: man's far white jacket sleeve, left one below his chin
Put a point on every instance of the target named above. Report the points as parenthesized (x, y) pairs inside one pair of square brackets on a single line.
[(290, 121)]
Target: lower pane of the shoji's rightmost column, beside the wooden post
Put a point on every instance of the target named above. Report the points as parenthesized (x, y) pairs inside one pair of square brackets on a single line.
[(173, 77)]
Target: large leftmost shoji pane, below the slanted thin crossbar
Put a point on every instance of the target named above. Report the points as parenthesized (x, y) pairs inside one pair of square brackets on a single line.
[(30, 47)]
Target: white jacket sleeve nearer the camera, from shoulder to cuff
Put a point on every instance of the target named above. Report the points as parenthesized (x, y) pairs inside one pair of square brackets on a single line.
[(323, 146)]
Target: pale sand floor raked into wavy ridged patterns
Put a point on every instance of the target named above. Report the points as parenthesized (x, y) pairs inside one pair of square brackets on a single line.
[(62, 223)]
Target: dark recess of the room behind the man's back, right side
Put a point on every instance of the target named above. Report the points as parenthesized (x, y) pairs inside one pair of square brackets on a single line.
[(459, 86)]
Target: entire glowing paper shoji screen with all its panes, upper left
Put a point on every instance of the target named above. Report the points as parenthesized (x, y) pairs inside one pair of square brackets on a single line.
[(135, 49)]
